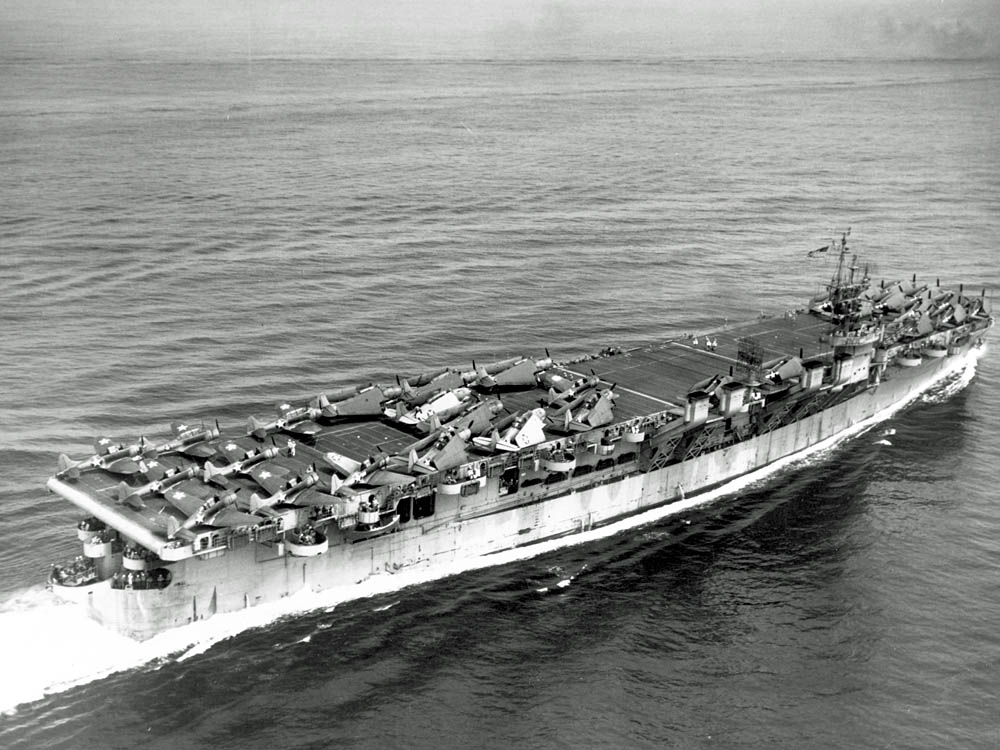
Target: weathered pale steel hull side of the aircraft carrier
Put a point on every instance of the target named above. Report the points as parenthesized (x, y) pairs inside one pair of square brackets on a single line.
[(489, 522)]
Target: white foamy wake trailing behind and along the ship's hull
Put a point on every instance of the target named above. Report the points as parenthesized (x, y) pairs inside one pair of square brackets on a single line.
[(59, 647)]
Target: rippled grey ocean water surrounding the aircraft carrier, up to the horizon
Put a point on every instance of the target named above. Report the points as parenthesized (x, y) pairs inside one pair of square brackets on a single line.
[(200, 239)]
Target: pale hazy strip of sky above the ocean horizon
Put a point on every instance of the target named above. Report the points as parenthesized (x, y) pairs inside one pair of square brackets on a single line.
[(477, 28)]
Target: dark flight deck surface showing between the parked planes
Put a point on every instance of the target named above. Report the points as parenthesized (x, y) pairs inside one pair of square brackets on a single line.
[(646, 380)]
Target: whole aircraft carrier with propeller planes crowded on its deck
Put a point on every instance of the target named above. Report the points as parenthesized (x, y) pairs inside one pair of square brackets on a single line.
[(460, 463)]
